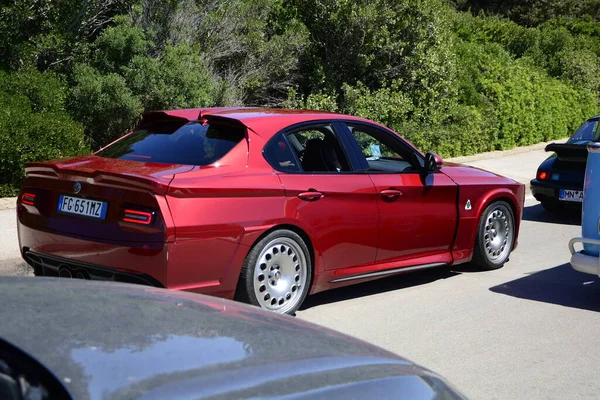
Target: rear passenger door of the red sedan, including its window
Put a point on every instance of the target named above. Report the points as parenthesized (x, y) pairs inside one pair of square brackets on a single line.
[(336, 203)]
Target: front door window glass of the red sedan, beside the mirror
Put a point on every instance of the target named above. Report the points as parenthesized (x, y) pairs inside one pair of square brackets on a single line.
[(382, 152)]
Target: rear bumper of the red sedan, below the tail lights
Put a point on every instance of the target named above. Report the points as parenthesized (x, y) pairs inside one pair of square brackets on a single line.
[(209, 266)]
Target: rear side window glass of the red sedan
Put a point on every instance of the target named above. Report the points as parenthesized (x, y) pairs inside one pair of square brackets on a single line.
[(316, 148)]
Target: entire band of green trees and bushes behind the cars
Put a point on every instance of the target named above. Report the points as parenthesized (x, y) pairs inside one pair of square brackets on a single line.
[(456, 77)]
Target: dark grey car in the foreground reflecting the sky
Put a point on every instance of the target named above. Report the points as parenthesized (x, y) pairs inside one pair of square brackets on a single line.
[(63, 339)]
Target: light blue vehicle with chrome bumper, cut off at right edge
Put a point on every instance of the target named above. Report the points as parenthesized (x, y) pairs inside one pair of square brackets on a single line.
[(587, 260)]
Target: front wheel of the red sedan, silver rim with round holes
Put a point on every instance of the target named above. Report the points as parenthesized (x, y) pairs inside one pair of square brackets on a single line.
[(495, 236)]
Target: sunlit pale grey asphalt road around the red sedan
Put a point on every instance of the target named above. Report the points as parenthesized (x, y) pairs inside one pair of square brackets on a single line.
[(526, 331)]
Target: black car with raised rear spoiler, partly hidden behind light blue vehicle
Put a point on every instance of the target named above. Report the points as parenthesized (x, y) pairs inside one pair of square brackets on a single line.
[(559, 179)]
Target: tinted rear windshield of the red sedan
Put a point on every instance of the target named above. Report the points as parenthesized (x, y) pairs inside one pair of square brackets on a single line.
[(175, 142)]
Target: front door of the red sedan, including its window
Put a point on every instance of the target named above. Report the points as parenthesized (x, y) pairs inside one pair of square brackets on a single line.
[(418, 213)]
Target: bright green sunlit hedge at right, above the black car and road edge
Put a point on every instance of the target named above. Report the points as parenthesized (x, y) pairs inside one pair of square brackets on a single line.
[(524, 105)]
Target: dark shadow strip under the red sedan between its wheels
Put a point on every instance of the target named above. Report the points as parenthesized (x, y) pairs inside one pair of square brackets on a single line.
[(378, 286)]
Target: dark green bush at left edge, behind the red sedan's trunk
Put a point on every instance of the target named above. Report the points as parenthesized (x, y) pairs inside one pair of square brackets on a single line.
[(34, 125)]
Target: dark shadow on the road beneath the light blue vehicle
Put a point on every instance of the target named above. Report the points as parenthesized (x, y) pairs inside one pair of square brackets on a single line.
[(559, 285)]
